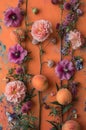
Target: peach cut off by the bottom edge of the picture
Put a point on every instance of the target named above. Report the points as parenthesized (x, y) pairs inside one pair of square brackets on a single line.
[(71, 125)]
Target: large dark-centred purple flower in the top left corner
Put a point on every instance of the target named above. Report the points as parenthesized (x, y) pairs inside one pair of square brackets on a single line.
[(13, 17)]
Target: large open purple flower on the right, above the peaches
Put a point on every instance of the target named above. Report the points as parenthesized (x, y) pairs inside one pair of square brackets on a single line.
[(64, 69)]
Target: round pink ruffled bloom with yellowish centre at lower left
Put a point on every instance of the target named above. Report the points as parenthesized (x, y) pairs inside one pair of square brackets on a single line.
[(15, 91)]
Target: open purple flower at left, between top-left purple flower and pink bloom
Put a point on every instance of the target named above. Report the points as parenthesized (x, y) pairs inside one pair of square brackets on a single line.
[(17, 54)]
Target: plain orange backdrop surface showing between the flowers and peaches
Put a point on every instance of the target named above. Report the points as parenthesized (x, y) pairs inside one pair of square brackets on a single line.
[(52, 13)]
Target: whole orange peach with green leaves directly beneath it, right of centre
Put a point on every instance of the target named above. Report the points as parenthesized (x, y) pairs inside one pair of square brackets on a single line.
[(64, 96)]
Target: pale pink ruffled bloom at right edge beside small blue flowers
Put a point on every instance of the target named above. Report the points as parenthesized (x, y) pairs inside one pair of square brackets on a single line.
[(75, 38)]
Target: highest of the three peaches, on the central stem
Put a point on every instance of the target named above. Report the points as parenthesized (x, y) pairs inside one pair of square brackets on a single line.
[(40, 82)]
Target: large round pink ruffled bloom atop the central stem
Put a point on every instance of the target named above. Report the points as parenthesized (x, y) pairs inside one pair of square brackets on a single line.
[(41, 29)]
